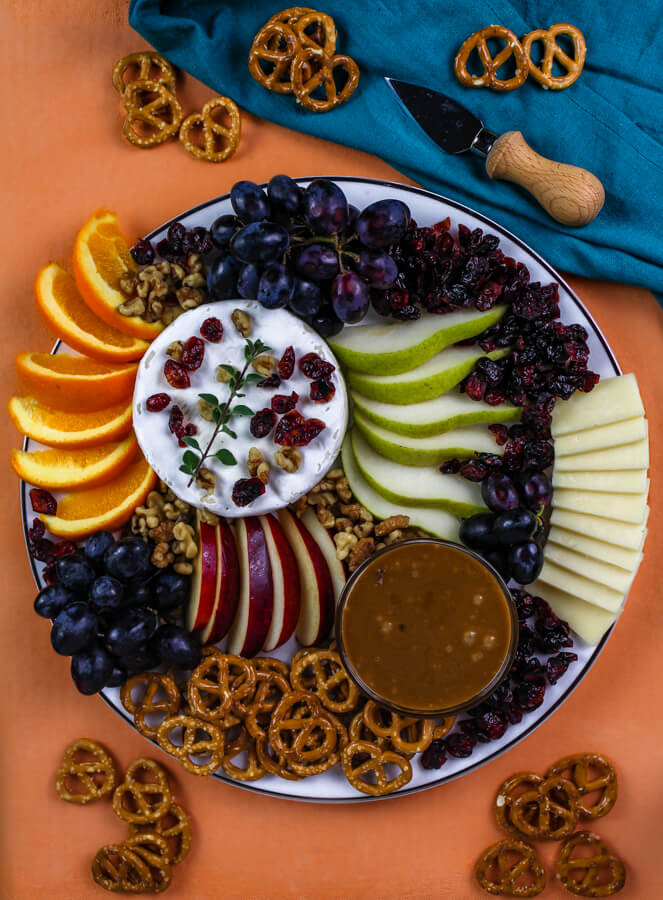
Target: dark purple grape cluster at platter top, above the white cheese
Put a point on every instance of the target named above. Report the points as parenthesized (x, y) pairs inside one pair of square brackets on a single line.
[(305, 248)]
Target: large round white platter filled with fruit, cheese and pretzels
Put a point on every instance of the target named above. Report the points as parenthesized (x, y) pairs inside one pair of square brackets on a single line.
[(318, 372)]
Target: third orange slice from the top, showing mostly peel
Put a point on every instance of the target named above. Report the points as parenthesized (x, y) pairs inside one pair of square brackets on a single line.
[(75, 383)]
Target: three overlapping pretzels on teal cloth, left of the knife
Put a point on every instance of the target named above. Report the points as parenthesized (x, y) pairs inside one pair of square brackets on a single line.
[(295, 53)]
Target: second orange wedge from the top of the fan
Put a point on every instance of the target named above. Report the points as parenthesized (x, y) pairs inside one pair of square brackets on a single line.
[(73, 321)]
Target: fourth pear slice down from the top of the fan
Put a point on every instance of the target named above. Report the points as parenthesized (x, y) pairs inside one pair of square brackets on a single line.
[(461, 442)]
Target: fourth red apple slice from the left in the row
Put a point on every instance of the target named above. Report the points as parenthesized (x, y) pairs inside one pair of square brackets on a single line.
[(285, 577)]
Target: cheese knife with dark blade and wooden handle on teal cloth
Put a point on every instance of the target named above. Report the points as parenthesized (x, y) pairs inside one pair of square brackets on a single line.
[(571, 195)]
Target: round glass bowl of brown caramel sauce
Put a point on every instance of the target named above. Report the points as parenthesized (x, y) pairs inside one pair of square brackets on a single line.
[(426, 628)]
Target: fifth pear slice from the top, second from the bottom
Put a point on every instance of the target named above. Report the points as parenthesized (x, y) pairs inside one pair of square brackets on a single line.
[(413, 486)]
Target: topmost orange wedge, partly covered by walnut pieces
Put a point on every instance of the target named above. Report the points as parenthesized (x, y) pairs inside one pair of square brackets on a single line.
[(101, 259)]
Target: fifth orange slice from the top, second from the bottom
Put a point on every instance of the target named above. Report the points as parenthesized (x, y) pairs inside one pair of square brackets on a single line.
[(87, 467)]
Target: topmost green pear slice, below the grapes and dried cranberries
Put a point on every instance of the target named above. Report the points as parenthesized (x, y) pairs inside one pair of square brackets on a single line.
[(395, 347)]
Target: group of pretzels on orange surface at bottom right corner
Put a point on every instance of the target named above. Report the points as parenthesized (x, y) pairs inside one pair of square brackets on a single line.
[(549, 808)]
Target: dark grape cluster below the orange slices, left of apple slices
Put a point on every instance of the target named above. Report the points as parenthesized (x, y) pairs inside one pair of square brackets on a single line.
[(107, 604)]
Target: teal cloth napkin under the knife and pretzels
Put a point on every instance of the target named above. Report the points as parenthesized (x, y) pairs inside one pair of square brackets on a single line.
[(610, 121)]
